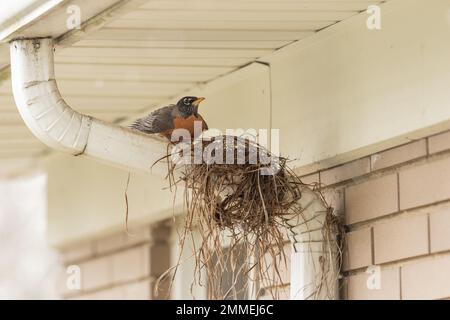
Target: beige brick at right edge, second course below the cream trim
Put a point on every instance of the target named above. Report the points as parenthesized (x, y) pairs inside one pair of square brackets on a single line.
[(425, 184)]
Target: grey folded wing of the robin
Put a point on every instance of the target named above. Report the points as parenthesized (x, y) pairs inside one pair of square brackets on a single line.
[(158, 121)]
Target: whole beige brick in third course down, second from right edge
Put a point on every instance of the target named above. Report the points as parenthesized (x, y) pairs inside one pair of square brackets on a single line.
[(401, 238)]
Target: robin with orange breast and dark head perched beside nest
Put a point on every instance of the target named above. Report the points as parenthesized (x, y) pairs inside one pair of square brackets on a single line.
[(175, 116)]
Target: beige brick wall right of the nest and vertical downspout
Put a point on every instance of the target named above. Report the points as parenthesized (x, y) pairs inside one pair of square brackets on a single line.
[(396, 208)]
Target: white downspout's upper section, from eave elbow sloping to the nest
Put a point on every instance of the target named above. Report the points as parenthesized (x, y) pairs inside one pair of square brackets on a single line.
[(60, 127)]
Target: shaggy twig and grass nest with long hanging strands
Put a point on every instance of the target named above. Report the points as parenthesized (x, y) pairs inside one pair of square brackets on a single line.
[(244, 205)]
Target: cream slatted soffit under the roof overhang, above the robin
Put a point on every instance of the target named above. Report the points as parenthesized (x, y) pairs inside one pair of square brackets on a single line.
[(163, 48)]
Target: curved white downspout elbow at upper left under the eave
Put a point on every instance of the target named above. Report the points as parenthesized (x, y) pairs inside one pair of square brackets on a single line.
[(38, 99)]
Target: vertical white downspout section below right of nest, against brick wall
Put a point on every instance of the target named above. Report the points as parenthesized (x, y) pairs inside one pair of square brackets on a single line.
[(310, 278)]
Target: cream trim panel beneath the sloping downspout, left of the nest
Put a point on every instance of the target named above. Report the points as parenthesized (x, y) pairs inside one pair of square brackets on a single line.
[(86, 199)]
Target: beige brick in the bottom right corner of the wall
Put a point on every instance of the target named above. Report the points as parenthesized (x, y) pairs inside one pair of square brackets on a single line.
[(427, 278)]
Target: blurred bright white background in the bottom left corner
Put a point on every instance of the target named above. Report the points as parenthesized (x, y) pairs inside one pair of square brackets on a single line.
[(28, 267)]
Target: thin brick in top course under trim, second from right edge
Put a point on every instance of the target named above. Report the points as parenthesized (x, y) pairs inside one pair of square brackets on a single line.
[(399, 155)]
